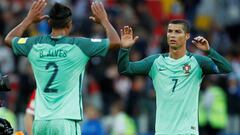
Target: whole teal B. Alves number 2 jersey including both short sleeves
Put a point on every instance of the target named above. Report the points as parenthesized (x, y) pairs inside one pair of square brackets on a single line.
[(58, 65)]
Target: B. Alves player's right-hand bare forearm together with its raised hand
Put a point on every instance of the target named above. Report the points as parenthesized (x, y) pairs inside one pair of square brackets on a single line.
[(100, 16)]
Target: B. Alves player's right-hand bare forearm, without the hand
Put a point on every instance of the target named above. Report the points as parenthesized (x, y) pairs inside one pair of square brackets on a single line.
[(111, 34)]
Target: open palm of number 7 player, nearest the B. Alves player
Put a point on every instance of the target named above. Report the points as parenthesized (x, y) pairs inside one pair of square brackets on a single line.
[(127, 39)]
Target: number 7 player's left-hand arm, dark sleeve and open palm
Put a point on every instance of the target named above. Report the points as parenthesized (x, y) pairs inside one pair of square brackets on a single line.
[(126, 67)]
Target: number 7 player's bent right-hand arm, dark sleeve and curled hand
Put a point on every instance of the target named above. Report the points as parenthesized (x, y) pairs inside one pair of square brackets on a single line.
[(216, 64)]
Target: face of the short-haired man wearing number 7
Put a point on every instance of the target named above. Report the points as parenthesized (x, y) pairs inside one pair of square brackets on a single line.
[(176, 36)]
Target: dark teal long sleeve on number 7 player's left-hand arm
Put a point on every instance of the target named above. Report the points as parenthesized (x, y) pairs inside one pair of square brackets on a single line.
[(141, 67)]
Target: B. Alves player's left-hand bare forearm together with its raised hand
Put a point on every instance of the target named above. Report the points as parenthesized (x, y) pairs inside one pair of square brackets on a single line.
[(34, 16)]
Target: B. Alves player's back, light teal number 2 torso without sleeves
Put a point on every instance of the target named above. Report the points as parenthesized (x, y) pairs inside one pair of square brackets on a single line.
[(58, 64)]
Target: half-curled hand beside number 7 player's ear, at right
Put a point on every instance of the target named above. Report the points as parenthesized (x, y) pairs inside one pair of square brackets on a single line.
[(201, 43)]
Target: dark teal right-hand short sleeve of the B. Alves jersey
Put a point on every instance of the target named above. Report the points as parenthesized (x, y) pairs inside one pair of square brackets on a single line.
[(93, 47)]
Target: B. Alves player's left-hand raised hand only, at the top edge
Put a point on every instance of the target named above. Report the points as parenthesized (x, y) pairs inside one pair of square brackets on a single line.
[(35, 13)]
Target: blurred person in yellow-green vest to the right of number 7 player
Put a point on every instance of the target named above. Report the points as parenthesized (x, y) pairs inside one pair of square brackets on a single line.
[(212, 110)]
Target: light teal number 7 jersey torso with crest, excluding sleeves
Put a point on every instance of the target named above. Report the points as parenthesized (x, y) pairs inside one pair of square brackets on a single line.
[(177, 84)]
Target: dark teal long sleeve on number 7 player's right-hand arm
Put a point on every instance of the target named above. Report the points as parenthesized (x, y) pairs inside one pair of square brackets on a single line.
[(214, 63)]
